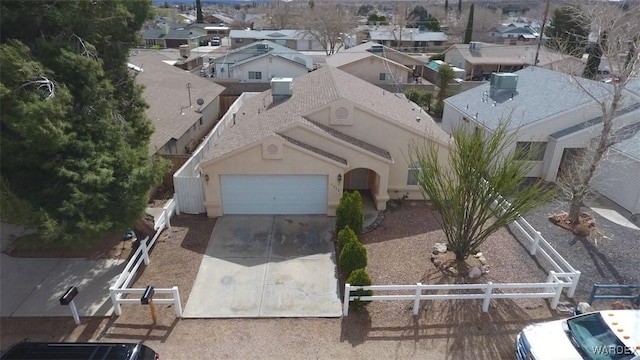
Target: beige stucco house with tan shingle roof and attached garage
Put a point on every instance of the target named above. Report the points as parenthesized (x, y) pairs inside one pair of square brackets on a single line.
[(295, 148)]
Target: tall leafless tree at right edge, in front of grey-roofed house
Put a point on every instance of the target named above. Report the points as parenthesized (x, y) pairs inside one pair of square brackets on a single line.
[(614, 30)]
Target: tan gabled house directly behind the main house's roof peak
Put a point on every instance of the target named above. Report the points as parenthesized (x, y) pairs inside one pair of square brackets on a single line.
[(379, 65)]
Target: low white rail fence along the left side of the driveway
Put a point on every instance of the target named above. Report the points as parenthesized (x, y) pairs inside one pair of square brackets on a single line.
[(119, 291)]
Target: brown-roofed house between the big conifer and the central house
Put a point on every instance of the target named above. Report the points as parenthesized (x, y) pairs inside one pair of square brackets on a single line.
[(183, 107)]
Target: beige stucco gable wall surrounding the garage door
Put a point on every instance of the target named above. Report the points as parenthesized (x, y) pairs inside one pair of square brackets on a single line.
[(251, 161)]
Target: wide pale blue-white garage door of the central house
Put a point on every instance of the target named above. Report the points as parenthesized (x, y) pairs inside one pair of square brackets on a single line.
[(274, 194)]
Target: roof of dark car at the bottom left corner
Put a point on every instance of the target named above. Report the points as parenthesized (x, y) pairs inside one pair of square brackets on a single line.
[(79, 351)]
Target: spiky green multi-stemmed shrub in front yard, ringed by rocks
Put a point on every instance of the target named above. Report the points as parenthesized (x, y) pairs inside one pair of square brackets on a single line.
[(480, 189)]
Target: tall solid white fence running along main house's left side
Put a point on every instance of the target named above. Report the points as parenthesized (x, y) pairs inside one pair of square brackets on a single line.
[(186, 181)]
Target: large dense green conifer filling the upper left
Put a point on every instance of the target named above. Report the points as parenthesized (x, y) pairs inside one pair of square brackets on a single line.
[(74, 135)]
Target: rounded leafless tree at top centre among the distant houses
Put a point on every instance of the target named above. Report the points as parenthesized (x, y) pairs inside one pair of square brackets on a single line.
[(327, 23)]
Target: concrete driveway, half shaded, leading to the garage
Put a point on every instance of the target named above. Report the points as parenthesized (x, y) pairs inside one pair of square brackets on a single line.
[(267, 266)]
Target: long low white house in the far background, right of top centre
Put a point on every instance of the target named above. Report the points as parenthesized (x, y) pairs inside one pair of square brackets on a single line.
[(410, 39)]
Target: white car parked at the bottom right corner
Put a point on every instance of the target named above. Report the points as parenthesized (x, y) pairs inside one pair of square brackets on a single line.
[(601, 335)]
